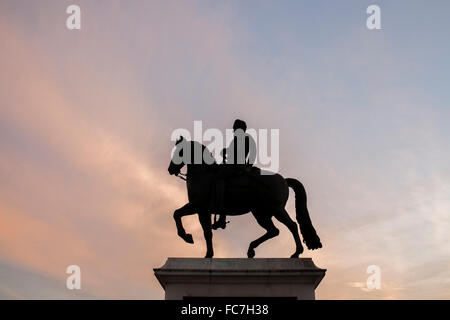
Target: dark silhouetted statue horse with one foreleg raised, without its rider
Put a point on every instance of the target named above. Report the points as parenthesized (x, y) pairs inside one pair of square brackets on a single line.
[(264, 195)]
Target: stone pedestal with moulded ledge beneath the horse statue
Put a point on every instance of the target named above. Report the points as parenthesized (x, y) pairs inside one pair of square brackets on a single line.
[(184, 278)]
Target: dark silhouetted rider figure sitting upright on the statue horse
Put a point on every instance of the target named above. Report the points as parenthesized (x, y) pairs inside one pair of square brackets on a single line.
[(240, 154)]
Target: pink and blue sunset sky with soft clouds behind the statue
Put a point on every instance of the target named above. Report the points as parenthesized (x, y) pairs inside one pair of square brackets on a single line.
[(86, 117)]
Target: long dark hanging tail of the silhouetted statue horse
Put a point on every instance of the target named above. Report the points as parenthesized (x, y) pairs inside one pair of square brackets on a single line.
[(310, 237)]
